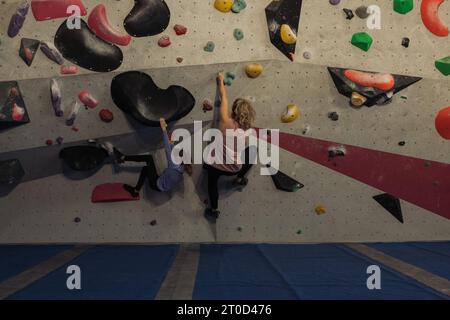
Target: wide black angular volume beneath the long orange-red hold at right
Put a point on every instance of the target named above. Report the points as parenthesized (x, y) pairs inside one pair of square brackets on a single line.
[(374, 96)]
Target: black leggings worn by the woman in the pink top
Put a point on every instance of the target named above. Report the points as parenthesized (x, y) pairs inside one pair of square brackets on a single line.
[(214, 175)]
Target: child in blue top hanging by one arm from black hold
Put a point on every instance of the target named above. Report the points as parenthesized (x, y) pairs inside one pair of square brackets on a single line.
[(170, 177)]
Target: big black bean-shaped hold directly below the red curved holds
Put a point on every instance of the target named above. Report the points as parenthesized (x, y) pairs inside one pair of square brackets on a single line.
[(84, 48)]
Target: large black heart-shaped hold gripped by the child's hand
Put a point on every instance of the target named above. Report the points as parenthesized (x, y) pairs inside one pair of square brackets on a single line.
[(137, 94)]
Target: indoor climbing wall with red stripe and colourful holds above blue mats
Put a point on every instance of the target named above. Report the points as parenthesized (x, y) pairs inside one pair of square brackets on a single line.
[(345, 157)]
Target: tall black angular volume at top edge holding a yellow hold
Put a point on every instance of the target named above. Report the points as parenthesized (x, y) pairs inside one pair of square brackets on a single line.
[(281, 12)]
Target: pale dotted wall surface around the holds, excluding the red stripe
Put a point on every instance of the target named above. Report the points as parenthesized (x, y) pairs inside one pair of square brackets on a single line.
[(42, 208)]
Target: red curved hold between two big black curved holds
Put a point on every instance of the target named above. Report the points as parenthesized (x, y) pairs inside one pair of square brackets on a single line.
[(99, 24)]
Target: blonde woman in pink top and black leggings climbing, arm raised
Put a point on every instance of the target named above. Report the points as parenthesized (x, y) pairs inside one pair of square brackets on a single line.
[(242, 117)]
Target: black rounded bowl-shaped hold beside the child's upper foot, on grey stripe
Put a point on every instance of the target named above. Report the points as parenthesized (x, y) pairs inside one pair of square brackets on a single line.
[(83, 158)]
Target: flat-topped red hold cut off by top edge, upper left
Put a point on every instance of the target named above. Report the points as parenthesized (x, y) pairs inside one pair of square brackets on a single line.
[(54, 9)]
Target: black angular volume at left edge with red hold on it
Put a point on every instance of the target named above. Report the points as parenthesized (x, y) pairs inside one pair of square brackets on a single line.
[(12, 107)]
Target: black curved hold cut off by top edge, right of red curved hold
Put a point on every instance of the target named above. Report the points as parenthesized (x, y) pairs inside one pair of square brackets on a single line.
[(147, 18)]
